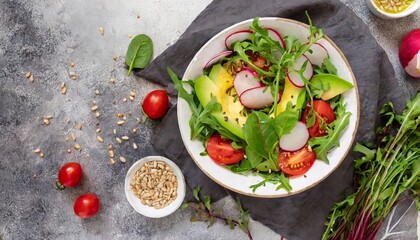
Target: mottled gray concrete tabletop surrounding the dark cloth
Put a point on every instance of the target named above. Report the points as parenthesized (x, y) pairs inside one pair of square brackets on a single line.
[(43, 37)]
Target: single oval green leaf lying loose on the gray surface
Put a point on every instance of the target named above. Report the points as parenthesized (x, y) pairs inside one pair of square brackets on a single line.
[(139, 52)]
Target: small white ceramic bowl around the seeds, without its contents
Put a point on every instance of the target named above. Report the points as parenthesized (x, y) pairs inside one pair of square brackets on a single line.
[(150, 211)]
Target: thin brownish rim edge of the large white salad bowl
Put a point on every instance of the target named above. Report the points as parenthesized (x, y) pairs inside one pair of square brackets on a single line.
[(353, 78)]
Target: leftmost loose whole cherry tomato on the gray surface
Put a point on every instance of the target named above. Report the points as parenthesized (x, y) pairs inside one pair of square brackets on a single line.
[(70, 175)]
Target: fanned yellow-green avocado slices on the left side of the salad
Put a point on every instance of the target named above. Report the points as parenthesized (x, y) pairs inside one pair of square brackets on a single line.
[(217, 85)]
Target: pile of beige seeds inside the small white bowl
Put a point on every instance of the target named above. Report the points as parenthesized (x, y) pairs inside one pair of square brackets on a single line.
[(155, 184)]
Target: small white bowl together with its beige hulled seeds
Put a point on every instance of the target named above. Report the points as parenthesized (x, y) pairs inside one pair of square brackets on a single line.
[(155, 186)]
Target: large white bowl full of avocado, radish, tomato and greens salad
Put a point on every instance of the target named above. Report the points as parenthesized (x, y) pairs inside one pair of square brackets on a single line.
[(268, 107)]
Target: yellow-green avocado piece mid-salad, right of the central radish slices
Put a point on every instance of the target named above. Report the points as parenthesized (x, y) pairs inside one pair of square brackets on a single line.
[(292, 94)]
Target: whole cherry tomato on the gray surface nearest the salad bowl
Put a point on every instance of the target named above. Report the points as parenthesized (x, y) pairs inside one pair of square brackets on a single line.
[(155, 104)]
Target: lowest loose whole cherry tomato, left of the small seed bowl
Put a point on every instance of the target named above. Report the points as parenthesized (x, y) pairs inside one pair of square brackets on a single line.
[(86, 205)]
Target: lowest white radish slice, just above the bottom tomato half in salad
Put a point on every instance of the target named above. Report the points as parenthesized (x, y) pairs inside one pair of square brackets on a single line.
[(296, 139)]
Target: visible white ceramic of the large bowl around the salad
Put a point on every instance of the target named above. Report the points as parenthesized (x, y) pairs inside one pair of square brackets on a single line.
[(241, 183)]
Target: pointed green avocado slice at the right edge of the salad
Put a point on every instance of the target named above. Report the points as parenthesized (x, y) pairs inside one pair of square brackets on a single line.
[(333, 83)]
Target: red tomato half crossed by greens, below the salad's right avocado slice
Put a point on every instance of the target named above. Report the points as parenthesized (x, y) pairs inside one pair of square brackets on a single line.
[(325, 111)]
